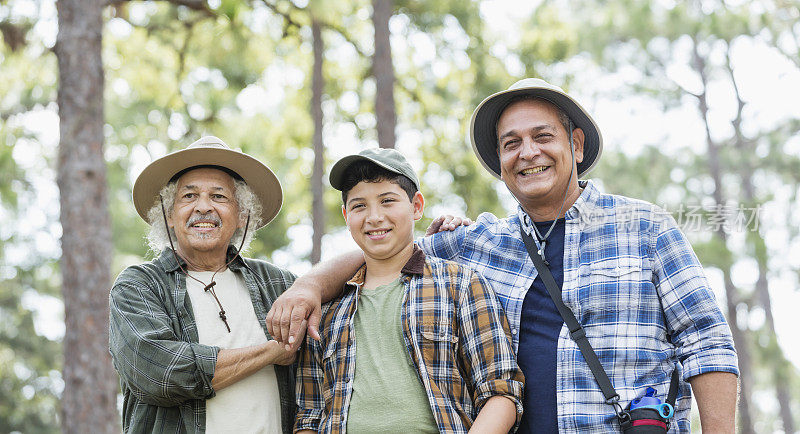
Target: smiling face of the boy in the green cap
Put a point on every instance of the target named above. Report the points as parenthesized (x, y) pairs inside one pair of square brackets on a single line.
[(380, 218)]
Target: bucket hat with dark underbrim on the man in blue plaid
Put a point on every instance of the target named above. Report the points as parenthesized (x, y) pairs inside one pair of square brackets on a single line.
[(483, 126)]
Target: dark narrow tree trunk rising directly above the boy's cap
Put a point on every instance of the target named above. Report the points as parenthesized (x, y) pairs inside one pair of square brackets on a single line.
[(383, 71)]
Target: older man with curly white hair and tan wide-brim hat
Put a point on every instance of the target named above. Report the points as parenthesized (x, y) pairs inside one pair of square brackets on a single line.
[(187, 332)]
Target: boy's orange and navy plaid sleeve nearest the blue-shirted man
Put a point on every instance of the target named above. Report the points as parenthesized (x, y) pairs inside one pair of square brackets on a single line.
[(487, 349)]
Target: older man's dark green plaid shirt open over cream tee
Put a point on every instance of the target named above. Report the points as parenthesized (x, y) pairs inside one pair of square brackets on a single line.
[(165, 374)]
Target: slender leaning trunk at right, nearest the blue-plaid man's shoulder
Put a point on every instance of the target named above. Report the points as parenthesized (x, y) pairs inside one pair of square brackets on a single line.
[(740, 337)]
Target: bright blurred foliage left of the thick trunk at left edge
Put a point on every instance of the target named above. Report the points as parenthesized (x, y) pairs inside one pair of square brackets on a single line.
[(30, 379)]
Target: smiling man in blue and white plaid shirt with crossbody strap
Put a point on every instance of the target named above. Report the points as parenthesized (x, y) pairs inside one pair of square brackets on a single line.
[(624, 268)]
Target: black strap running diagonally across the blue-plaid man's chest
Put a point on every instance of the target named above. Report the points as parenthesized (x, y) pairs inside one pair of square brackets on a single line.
[(575, 330)]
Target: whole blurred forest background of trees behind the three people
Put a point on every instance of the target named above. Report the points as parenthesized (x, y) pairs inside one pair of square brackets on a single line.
[(697, 101)]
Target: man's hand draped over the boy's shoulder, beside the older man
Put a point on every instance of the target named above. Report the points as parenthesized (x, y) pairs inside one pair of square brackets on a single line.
[(295, 310)]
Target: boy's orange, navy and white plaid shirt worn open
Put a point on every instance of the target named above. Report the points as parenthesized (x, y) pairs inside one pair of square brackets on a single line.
[(455, 333)]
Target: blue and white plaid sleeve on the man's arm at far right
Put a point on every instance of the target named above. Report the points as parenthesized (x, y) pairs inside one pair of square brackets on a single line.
[(696, 324)]
